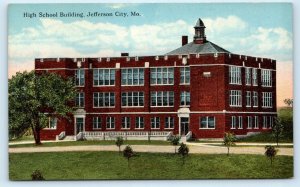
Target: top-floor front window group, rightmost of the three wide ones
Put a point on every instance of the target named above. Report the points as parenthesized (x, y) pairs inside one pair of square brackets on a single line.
[(161, 76)]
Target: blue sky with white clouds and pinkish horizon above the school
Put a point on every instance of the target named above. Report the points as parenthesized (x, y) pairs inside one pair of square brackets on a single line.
[(254, 29)]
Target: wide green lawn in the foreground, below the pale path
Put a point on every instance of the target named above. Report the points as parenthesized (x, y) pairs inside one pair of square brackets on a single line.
[(111, 165)]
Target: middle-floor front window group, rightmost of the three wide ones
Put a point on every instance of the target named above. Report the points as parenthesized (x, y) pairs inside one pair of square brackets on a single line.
[(162, 98)]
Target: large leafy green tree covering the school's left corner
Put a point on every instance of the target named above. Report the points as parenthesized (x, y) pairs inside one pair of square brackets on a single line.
[(34, 98)]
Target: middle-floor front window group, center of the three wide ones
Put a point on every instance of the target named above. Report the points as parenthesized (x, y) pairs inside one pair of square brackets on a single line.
[(133, 99)]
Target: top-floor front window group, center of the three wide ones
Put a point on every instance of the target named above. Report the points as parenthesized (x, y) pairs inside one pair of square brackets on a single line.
[(133, 76)]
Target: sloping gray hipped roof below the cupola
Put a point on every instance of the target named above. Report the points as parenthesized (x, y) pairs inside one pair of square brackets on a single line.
[(192, 48)]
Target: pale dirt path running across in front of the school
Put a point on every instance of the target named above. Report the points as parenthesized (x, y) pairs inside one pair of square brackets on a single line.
[(201, 148)]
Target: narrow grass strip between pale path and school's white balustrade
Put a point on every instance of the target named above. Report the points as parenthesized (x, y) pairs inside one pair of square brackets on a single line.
[(99, 142)]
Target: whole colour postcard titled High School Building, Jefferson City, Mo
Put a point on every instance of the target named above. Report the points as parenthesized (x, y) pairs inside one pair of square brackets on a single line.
[(150, 91)]
